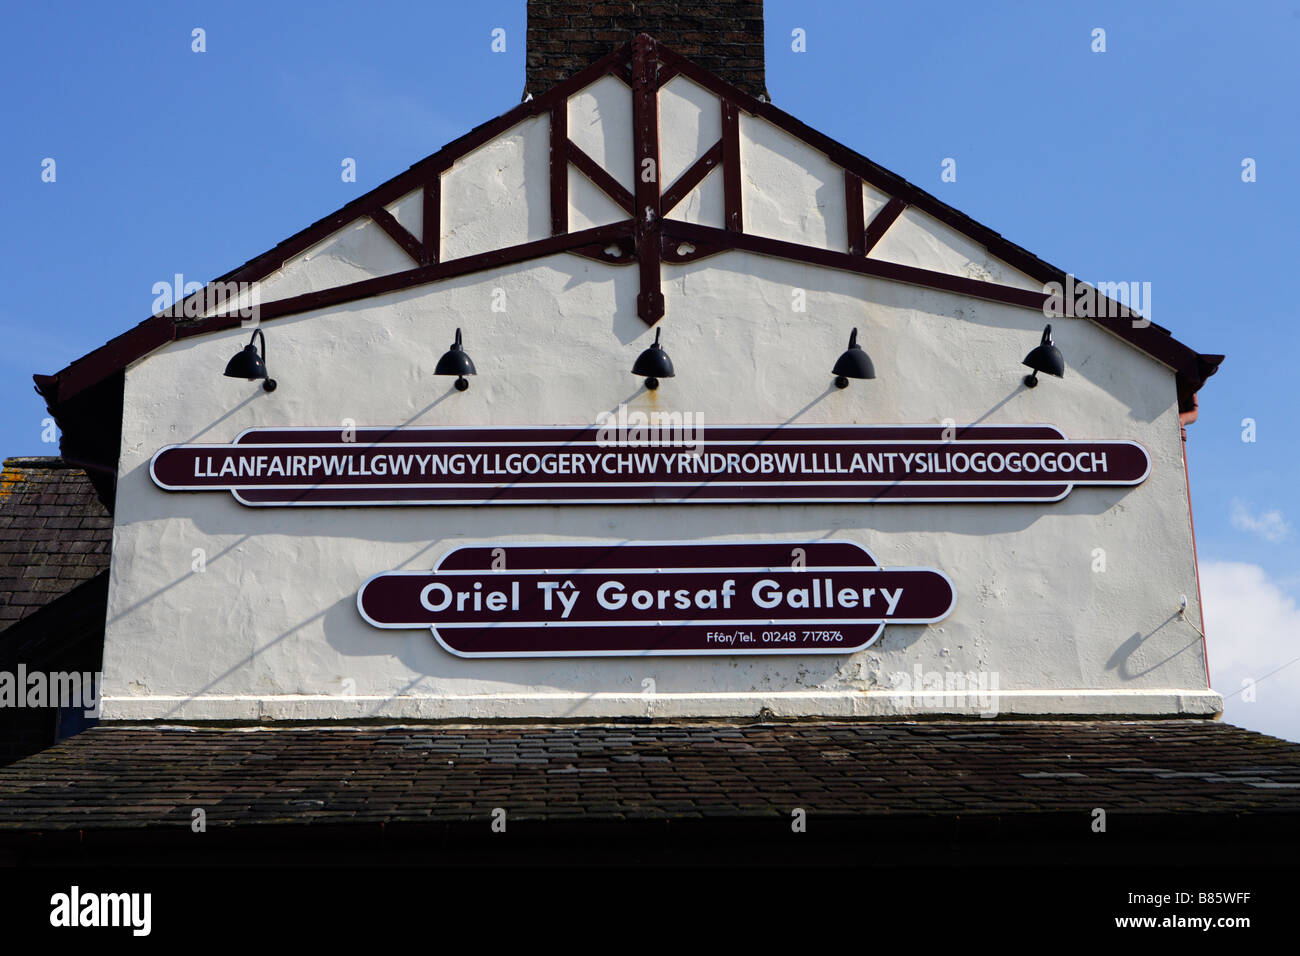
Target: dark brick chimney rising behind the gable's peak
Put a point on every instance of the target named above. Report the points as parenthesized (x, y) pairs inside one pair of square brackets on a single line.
[(725, 37)]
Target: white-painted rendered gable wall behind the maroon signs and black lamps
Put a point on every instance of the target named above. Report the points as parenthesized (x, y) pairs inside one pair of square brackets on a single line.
[(270, 629)]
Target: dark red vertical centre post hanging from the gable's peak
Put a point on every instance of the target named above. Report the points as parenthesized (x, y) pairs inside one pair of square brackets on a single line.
[(645, 135)]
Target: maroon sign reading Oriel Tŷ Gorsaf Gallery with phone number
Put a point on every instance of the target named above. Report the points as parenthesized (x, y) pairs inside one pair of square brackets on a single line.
[(593, 600)]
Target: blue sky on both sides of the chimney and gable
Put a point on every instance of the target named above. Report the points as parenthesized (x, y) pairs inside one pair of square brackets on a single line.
[(1124, 166)]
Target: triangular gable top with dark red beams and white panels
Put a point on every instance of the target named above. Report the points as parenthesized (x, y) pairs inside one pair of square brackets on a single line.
[(557, 174)]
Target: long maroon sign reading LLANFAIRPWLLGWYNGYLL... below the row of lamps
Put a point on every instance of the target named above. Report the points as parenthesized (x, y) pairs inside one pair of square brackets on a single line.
[(578, 465)]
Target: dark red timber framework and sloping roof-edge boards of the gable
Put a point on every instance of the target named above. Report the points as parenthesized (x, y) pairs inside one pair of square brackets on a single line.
[(648, 237)]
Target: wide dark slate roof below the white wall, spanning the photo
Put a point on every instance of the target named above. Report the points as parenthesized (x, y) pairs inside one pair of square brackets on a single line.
[(119, 777)]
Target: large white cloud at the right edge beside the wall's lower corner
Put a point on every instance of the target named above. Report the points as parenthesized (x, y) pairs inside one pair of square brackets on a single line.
[(1253, 630)]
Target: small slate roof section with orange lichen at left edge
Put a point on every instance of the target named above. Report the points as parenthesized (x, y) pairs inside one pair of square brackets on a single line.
[(55, 535)]
